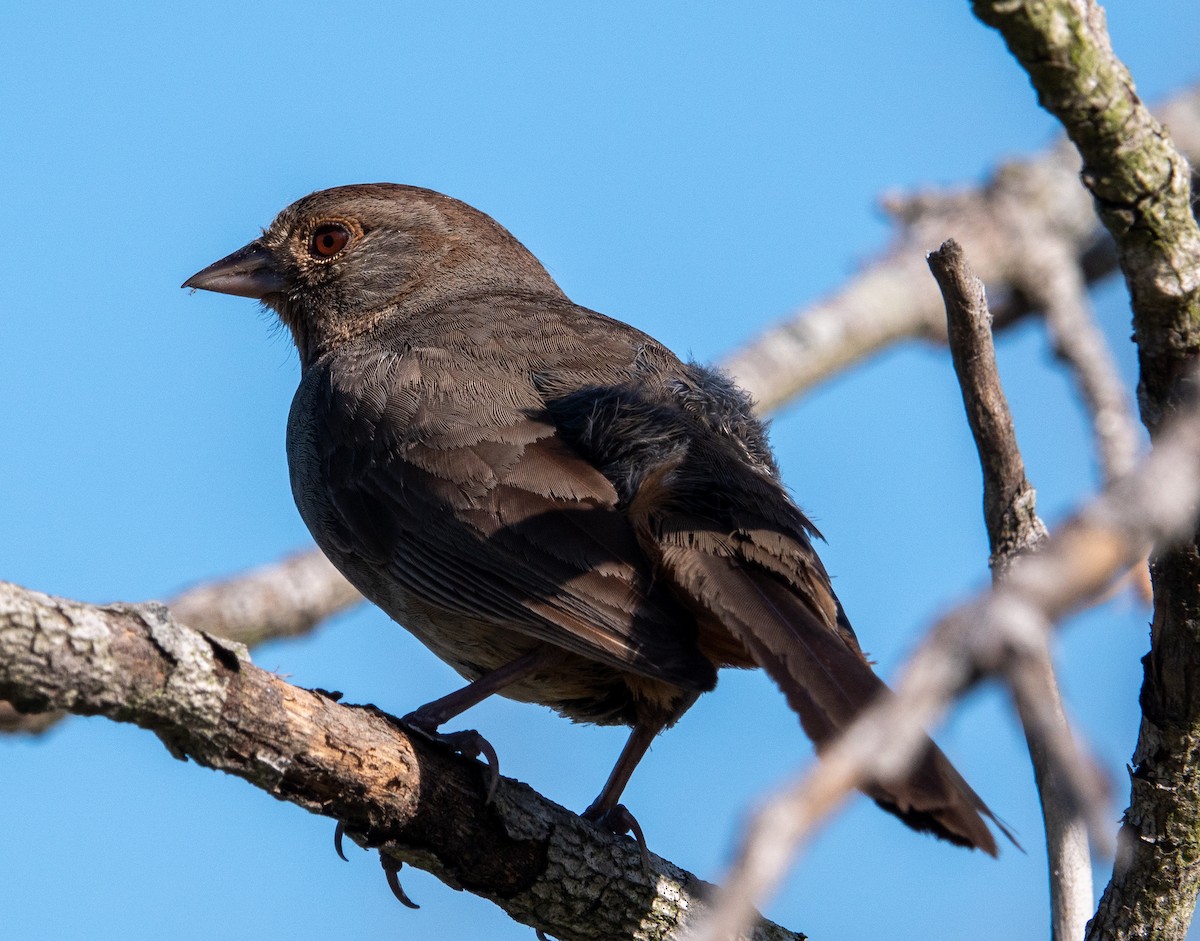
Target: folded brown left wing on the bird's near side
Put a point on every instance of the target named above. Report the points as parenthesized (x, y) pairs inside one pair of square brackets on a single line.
[(490, 517)]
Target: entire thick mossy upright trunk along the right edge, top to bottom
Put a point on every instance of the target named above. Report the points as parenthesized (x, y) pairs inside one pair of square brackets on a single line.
[(1142, 189)]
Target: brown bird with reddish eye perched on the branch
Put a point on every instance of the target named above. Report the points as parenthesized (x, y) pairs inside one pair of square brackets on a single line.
[(550, 500)]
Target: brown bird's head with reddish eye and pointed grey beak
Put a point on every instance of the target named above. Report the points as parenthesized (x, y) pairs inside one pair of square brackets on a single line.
[(340, 261)]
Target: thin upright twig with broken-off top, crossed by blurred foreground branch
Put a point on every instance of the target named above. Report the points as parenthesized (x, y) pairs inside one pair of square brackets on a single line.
[(1013, 529)]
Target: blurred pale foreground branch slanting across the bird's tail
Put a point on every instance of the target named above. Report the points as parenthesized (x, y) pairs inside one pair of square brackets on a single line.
[(1003, 632)]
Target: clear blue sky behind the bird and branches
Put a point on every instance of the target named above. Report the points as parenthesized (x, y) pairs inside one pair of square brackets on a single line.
[(698, 170)]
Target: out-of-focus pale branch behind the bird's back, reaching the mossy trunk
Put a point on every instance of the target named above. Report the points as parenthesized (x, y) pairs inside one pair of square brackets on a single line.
[(892, 298)]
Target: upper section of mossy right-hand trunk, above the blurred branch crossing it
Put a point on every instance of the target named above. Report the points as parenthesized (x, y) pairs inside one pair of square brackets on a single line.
[(1139, 182)]
